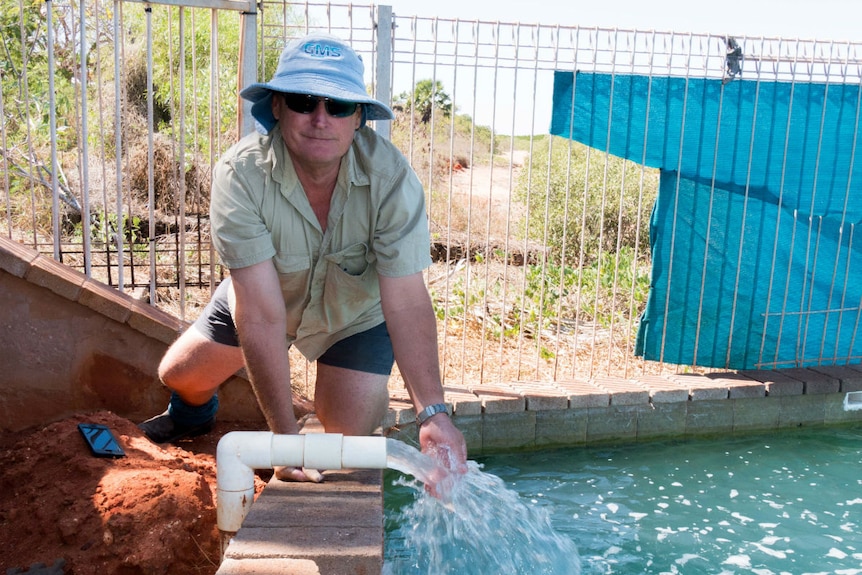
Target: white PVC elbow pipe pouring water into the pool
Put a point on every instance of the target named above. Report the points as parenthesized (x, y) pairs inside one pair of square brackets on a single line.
[(239, 453)]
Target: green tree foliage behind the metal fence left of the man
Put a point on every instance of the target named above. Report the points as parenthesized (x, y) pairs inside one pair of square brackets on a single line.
[(195, 55)]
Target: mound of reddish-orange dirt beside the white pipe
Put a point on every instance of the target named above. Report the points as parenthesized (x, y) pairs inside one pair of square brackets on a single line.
[(151, 512)]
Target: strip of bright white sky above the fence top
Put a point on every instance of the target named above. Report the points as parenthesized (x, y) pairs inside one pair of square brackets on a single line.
[(803, 19)]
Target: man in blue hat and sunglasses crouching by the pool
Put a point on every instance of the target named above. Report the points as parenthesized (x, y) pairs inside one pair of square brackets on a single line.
[(322, 225)]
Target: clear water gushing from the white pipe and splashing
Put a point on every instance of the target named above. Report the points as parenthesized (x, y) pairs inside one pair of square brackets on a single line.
[(474, 524)]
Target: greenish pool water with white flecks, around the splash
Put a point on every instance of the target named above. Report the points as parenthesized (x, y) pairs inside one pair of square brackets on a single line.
[(777, 503)]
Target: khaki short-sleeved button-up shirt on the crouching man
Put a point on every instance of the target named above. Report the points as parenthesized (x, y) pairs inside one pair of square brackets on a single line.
[(377, 225)]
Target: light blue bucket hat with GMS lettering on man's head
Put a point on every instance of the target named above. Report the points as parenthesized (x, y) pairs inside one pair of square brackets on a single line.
[(319, 65)]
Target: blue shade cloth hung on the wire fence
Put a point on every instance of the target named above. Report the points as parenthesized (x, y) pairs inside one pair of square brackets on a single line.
[(754, 259)]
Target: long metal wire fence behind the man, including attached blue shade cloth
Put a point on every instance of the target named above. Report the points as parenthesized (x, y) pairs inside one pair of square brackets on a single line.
[(540, 207)]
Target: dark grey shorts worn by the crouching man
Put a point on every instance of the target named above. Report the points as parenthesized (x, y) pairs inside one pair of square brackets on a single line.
[(369, 351)]
